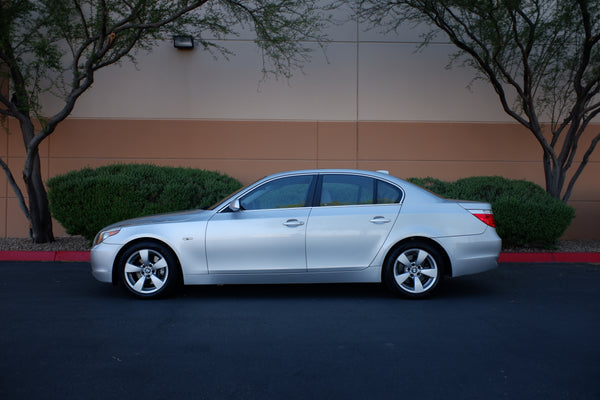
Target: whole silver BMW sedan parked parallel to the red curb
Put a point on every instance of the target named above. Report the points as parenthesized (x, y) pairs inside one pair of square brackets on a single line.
[(308, 226)]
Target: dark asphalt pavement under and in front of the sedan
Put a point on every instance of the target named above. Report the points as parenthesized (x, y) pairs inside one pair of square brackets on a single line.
[(522, 331)]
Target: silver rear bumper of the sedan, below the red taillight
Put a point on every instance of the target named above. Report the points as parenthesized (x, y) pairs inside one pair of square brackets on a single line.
[(473, 254)]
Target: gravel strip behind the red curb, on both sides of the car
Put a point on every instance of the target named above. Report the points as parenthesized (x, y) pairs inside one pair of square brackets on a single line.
[(77, 243)]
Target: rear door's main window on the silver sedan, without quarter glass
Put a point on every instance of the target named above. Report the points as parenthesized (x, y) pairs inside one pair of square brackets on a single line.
[(341, 190)]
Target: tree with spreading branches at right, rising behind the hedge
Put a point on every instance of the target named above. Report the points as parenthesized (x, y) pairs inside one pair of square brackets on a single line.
[(542, 59)]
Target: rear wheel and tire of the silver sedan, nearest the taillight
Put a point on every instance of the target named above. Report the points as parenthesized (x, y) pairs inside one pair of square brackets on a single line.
[(414, 270)]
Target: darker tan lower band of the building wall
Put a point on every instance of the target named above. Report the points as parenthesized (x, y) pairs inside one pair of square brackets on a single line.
[(249, 150)]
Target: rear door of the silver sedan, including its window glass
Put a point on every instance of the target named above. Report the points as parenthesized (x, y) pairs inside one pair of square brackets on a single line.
[(350, 222)]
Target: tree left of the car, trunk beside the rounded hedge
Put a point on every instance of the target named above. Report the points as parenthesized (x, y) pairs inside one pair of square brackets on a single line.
[(57, 46)]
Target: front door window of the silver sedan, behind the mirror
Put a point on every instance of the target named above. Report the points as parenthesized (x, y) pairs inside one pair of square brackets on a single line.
[(280, 193)]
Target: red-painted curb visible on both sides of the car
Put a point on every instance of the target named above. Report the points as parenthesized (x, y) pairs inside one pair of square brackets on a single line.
[(84, 256)]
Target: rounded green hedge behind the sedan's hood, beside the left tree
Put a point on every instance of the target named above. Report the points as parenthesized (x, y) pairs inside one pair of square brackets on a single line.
[(87, 200)]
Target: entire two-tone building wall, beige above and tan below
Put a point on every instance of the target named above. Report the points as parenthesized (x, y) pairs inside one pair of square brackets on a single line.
[(370, 101)]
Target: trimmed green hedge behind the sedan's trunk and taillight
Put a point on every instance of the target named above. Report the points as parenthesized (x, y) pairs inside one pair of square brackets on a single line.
[(525, 214)]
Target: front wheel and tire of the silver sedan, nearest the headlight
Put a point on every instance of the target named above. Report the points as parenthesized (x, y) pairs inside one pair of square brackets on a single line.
[(149, 270)]
